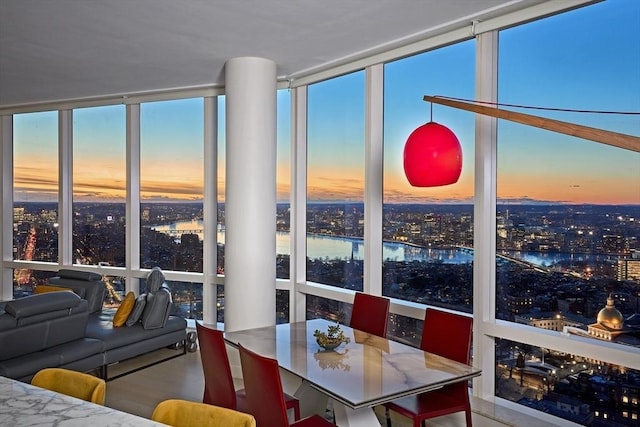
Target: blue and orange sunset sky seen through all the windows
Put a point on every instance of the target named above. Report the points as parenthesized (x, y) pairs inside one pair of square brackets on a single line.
[(573, 61)]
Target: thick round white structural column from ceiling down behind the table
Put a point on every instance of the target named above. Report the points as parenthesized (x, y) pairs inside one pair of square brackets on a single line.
[(250, 194)]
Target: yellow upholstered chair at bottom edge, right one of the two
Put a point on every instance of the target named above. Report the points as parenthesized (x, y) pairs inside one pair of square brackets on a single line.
[(182, 413)]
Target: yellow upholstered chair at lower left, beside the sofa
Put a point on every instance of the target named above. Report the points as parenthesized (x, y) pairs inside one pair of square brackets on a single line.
[(72, 383)]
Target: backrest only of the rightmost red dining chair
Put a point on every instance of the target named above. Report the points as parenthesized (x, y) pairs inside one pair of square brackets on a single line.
[(447, 334)]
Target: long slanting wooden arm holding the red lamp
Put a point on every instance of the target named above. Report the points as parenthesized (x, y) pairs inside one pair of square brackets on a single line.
[(620, 140)]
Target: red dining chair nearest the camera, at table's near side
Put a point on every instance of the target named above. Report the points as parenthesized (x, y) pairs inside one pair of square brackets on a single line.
[(263, 386)]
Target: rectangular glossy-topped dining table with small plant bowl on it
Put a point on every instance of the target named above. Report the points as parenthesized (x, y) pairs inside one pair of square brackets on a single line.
[(356, 376)]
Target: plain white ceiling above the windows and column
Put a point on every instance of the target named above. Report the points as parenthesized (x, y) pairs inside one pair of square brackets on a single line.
[(53, 50)]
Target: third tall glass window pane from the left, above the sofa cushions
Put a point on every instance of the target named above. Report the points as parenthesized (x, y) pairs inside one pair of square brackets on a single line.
[(171, 184)]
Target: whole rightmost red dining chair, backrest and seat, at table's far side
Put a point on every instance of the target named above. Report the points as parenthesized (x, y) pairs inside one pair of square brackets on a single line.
[(448, 335)]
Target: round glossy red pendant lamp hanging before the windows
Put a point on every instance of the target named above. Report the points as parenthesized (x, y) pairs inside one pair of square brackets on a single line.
[(432, 156)]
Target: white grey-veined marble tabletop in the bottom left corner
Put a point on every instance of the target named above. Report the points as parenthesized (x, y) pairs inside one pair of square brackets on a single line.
[(26, 405)]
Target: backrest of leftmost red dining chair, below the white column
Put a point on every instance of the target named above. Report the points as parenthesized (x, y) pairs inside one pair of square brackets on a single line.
[(218, 381)]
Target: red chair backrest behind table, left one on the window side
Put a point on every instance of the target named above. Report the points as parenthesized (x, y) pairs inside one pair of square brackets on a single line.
[(370, 314)]
